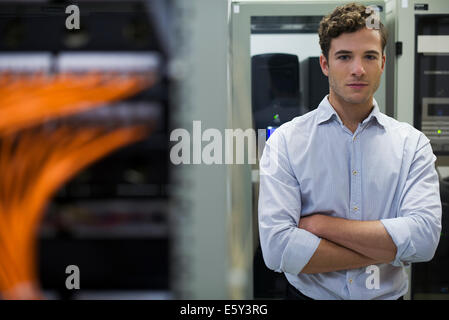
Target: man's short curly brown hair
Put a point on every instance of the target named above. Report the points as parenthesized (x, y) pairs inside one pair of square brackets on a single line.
[(347, 18)]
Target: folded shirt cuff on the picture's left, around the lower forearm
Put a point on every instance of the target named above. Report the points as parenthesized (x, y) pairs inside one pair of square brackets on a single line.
[(300, 248)]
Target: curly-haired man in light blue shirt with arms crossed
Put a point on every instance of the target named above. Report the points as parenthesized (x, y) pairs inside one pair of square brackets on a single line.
[(354, 195)]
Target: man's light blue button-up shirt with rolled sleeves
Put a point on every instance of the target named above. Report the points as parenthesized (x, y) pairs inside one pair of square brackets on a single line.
[(384, 171)]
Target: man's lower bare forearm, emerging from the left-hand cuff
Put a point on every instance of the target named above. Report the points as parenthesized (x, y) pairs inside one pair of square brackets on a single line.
[(332, 257)]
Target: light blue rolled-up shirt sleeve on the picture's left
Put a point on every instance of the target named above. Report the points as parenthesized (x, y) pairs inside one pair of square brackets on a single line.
[(285, 247)]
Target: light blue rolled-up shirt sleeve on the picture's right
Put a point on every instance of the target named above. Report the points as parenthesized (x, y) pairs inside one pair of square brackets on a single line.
[(417, 226)]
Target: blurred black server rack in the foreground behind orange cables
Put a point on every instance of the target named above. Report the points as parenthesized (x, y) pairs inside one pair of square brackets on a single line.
[(112, 219)]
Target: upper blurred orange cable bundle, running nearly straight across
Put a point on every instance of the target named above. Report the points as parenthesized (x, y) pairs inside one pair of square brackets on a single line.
[(27, 100)]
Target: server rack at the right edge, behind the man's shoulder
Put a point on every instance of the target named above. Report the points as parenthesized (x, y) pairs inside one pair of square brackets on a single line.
[(418, 47)]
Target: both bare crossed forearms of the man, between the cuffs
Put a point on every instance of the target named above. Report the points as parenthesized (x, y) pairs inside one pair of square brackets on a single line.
[(347, 244)]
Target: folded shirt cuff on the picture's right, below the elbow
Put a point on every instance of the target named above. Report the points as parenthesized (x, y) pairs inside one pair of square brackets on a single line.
[(399, 231)]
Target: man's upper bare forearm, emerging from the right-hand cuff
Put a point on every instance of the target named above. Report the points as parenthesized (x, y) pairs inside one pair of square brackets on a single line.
[(368, 238)]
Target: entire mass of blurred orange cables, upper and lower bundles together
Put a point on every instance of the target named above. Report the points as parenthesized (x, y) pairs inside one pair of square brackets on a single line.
[(39, 152)]
